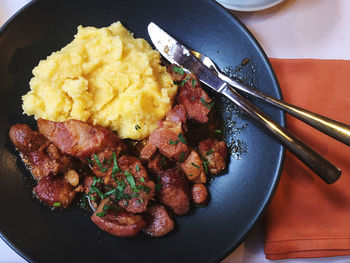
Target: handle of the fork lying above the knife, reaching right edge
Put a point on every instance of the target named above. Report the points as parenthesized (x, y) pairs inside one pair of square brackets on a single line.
[(337, 130)]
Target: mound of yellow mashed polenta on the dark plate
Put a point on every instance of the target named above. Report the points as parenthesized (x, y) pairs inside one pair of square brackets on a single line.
[(104, 76)]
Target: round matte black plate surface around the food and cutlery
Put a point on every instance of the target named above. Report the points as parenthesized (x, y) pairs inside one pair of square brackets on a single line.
[(237, 198)]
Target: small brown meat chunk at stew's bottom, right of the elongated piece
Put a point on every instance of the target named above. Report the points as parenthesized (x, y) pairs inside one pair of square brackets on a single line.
[(158, 221)]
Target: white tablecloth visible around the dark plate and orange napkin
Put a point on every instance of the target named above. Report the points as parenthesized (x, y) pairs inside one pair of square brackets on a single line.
[(292, 29)]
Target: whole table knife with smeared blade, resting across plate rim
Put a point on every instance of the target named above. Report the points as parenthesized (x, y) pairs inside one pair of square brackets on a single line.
[(177, 53)]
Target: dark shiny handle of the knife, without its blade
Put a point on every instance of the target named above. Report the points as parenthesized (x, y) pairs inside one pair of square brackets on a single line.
[(322, 167)]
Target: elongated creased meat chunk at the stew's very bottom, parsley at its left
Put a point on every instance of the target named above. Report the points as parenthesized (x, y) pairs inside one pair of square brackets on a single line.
[(117, 222)]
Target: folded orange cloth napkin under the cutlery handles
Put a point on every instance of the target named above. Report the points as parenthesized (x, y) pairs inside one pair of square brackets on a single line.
[(308, 218)]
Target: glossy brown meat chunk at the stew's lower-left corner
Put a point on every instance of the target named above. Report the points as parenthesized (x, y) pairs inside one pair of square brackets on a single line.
[(55, 191)]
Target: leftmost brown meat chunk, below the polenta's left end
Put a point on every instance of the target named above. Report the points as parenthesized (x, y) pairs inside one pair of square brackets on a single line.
[(25, 139)]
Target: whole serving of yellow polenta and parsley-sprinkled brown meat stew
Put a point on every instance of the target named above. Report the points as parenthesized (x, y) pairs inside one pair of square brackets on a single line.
[(80, 148)]
